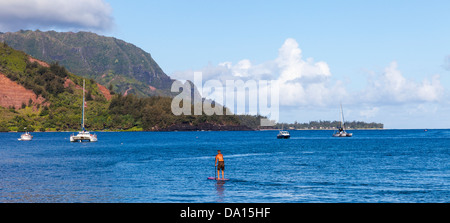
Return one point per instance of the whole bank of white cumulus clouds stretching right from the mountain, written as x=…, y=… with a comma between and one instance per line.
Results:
x=309, y=84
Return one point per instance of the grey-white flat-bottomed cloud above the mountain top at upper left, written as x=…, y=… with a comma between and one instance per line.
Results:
x=43, y=14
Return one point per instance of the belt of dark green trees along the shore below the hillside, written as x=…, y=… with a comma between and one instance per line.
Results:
x=122, y=113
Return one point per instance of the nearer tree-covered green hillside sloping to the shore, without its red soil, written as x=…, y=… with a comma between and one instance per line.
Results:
x=61, y=110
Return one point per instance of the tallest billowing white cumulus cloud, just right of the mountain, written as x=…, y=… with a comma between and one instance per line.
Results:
x=301, y=81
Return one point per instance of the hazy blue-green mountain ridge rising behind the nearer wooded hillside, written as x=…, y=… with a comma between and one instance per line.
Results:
x=107, y=60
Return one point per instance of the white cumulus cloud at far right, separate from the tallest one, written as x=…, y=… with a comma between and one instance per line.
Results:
x=392, y=87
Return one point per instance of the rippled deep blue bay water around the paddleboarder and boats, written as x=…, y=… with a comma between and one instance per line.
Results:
x=163, y=167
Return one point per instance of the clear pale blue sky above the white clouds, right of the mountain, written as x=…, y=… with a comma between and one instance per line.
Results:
x=189, y=34
